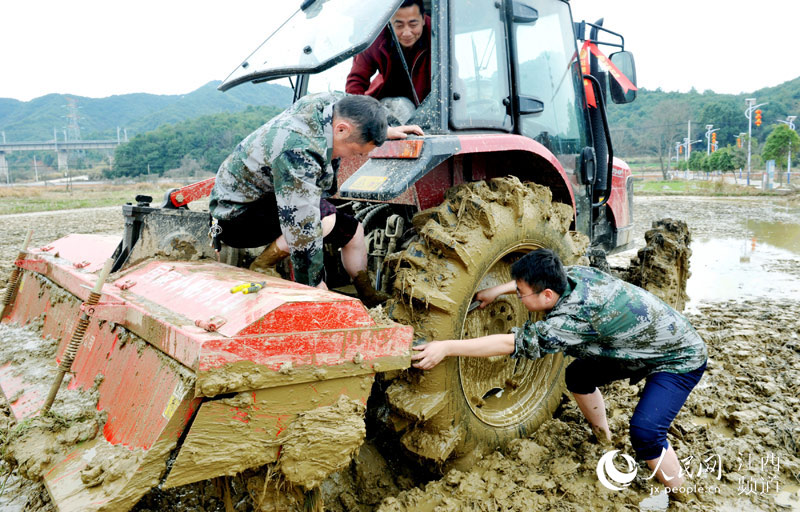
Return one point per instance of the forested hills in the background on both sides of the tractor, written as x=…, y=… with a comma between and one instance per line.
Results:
x=166, y=133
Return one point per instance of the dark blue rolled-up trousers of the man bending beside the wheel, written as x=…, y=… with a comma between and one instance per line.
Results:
x=663, y=396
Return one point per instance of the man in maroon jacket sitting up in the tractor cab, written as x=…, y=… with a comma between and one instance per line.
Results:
x=413, y=30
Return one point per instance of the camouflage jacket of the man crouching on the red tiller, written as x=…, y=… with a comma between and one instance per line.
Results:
x=289, y=156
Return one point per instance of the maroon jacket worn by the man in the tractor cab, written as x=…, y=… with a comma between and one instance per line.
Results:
x=381, y=56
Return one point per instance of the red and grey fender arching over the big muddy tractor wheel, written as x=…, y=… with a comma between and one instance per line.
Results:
x=398, y=165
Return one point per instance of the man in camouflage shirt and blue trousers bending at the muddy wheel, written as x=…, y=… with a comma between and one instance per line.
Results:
x=616, y=331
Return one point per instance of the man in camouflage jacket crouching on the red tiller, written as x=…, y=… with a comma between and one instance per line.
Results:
x=272, y=188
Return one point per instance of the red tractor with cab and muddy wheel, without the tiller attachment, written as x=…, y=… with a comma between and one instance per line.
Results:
x=517, y=155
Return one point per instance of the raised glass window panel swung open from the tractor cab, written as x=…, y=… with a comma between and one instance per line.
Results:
x=320, y=34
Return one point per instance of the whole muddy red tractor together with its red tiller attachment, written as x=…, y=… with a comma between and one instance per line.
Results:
x=196, y=382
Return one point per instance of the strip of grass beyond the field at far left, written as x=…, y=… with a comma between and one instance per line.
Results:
x=39, y=199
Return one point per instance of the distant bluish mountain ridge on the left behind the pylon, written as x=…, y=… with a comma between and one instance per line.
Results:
x=98, y=118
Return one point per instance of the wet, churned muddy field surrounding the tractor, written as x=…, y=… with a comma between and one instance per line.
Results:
x=737, y=436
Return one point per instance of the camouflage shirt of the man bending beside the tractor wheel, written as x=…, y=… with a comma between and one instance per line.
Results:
x=604, y=318
